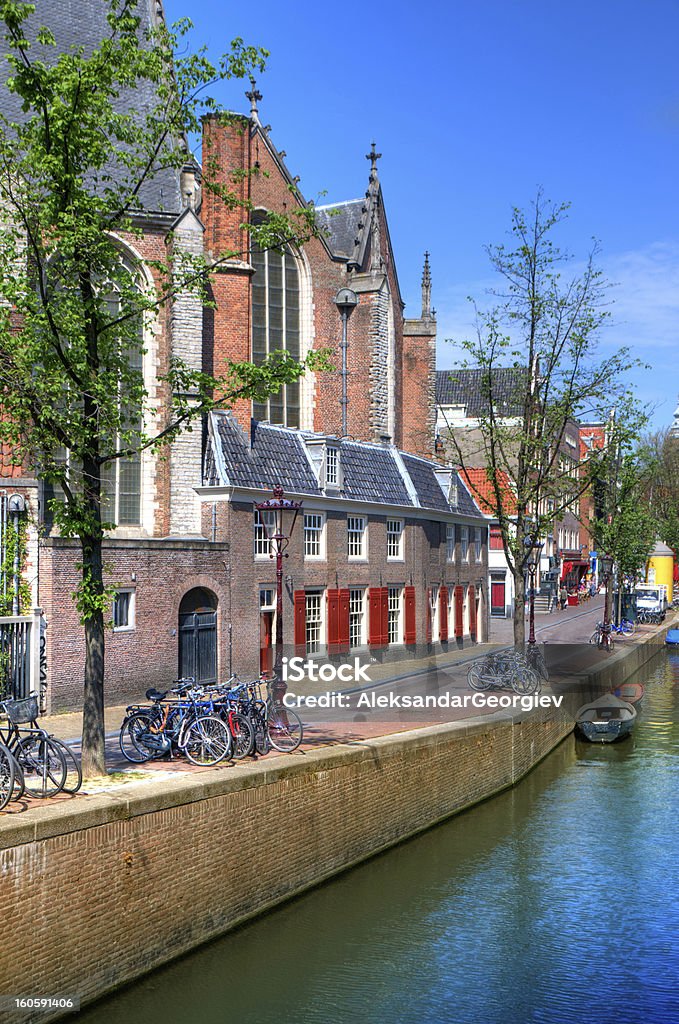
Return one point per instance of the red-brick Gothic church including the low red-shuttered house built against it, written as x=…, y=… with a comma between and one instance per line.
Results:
x=391, y=553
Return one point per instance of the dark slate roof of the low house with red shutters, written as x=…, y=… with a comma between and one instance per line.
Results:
x=278, y=455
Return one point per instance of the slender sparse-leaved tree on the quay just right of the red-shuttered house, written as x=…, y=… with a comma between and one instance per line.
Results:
x=536, y=353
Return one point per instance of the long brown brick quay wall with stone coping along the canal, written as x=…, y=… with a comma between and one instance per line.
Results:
x=118, y=884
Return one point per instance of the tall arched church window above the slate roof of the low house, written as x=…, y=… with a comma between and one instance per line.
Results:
x=276, y=324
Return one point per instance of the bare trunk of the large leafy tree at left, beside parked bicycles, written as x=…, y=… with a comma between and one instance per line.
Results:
x=94, y=756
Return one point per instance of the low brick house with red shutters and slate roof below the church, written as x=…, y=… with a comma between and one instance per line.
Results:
x=390, y=556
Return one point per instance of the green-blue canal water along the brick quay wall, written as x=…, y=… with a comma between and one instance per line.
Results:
x=556, y=903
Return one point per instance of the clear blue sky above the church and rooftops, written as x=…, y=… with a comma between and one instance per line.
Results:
x=475, y=104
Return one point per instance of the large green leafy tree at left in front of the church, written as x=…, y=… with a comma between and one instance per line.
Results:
x=73, y=173
